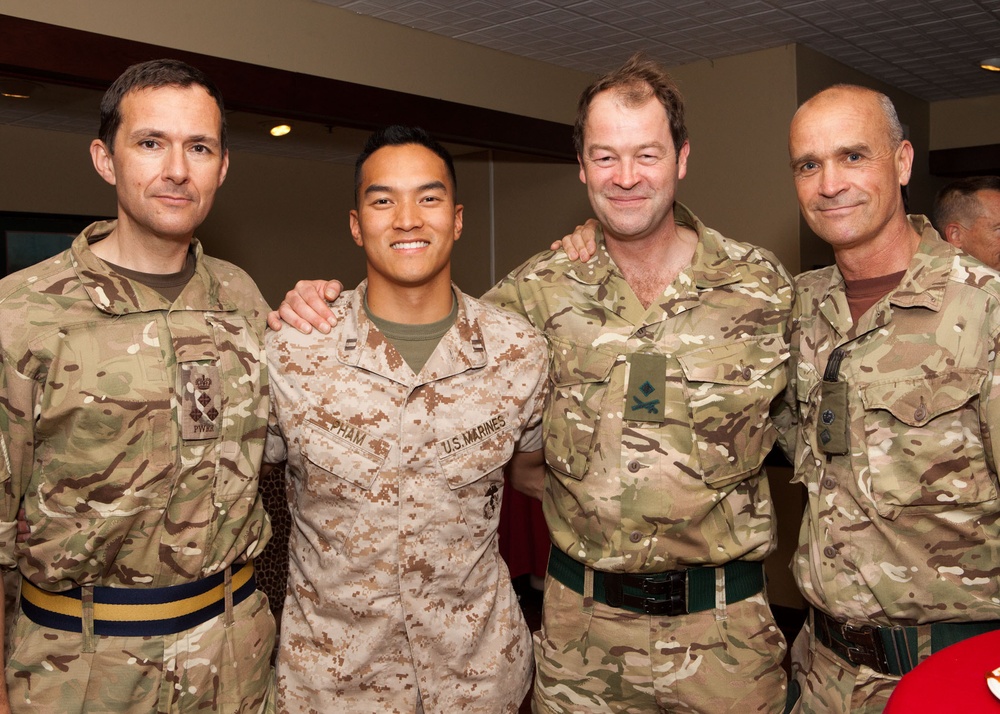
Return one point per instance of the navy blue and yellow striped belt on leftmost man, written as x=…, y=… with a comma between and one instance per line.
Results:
x=139, y=612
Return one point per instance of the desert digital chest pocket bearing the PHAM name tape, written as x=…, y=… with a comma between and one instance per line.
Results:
x=335, y=484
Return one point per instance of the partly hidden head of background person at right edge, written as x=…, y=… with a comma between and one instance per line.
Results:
x=967, y=215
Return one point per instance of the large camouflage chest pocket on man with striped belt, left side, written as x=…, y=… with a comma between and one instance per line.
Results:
x=106, y=437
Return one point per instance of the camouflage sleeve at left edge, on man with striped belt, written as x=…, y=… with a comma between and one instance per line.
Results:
x=17, y=396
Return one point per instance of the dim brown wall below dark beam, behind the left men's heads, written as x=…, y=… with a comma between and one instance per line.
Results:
x=284, y=219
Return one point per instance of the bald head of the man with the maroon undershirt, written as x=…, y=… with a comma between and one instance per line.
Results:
x=849, y=159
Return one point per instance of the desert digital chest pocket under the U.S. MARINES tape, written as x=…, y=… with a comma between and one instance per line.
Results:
x=475, y=477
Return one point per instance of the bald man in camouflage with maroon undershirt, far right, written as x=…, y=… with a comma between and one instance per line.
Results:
x=889, y=414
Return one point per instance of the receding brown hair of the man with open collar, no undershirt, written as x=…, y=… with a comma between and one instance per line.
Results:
x=635, y=83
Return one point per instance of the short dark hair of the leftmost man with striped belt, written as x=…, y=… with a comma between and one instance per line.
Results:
x=148, y=75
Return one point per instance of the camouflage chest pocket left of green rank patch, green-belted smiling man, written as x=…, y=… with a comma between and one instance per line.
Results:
x=580, y=377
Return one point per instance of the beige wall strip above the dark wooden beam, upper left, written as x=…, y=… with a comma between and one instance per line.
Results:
x=327, y=42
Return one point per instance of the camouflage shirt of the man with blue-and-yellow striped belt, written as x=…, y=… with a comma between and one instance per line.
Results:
x=132, y=428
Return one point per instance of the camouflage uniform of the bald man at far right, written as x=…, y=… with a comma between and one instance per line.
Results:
x=903, y=529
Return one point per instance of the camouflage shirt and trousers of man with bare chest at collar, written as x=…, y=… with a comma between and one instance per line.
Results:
x=646, y=497
